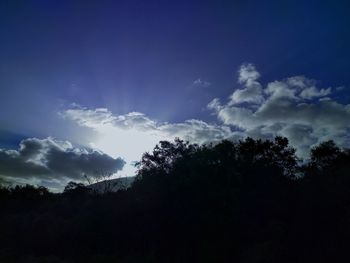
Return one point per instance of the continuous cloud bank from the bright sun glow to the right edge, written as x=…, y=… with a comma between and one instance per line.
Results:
x=293, y=107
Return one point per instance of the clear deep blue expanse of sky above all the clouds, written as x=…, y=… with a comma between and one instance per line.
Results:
x=146, y=56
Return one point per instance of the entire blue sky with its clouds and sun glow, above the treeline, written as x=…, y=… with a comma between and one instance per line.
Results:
x=87, y=86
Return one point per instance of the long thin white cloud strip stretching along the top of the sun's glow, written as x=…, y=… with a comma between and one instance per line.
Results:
x=196, y=131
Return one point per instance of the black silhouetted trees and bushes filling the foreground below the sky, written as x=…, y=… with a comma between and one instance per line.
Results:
x=250, y=201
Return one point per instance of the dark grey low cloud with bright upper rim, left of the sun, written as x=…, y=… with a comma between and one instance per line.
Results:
x=42, y=160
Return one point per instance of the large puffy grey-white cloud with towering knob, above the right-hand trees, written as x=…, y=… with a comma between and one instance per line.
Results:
x=293, y=107
